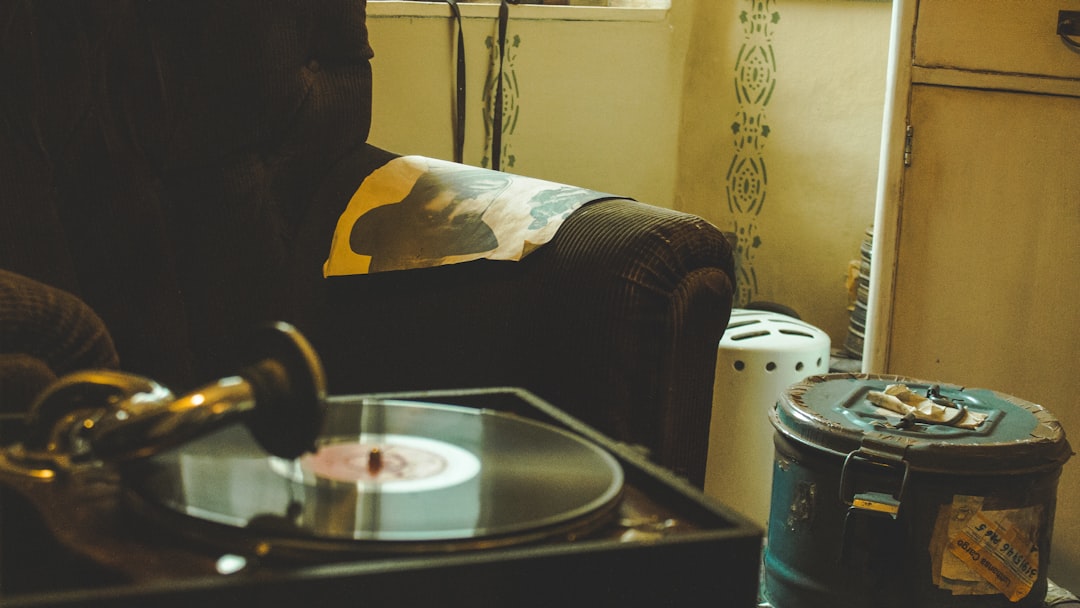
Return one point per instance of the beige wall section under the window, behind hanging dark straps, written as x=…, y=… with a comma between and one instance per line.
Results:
x=597, y=102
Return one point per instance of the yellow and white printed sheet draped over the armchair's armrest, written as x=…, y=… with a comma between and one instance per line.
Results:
x=417, y=212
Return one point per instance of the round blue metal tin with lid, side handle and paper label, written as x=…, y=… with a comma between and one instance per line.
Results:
x=871, y=509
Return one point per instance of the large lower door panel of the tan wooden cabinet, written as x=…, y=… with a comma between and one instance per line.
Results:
x=988, y=280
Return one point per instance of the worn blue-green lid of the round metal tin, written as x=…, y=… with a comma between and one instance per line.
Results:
x=832, y=413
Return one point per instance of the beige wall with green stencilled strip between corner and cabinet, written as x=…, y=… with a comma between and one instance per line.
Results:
x=820, y=153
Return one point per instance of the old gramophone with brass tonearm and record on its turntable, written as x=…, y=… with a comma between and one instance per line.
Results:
x=261, y=490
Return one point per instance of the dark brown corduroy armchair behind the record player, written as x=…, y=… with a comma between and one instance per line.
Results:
x=179, y=167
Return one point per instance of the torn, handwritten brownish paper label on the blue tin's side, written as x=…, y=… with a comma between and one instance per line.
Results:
x=985, y=551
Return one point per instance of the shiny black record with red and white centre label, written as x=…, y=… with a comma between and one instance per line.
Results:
x=393, y=477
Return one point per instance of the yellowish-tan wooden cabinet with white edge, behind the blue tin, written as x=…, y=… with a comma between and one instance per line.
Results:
x=977, y=258
